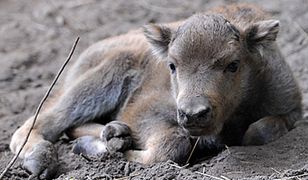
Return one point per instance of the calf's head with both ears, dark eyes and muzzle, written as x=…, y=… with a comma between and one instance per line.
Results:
x=210, y=63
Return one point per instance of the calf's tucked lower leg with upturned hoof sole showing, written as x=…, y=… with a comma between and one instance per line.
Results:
x=96, y=139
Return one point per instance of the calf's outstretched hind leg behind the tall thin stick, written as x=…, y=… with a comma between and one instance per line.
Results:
x=98, y=92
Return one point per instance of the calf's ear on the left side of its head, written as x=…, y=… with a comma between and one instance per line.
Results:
x=159, y=36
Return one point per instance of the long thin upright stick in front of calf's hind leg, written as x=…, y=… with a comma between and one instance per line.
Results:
x=39, y=108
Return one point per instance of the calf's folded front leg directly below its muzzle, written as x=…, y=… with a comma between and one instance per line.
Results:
x=162, y=142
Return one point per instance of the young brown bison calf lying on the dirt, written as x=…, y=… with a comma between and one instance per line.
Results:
x=218, y=75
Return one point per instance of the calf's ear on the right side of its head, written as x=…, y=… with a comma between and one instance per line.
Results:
x=261, y=33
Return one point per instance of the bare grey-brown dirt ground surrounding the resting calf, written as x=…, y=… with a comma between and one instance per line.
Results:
x=36, y=36
